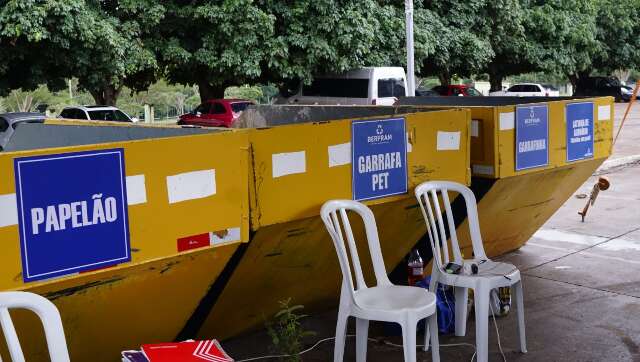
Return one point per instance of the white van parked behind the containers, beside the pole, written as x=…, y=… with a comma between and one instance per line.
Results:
x=371, y=85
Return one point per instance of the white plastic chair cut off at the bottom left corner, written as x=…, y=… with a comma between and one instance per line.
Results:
x=49, y=316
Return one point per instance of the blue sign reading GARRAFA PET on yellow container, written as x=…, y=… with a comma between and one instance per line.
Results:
x=378, y=158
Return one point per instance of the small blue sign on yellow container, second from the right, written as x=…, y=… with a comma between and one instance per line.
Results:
x=532, y=137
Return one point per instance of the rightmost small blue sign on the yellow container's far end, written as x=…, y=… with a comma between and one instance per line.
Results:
x=579, y=131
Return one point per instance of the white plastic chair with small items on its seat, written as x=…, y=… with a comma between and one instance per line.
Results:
x=490, y=274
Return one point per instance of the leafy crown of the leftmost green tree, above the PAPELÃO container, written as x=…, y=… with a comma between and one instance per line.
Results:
x=98, y=42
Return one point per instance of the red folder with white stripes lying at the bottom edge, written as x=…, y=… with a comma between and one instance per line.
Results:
x=191, y=351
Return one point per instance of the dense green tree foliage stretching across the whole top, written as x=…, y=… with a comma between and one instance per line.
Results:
x=111, y=45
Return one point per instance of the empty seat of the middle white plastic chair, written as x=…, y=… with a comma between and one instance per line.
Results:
x=394, y=298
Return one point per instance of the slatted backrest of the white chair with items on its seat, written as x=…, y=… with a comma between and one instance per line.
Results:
x=429, y=195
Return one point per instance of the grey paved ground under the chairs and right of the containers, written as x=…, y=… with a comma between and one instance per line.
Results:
x=581, y=283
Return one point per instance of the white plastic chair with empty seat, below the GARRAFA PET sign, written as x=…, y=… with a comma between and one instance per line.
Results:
x=383, y=302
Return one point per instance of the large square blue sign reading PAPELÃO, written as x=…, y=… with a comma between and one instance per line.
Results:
x=72, y=212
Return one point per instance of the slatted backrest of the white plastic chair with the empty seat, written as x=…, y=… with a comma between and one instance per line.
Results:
x=334, y=215
